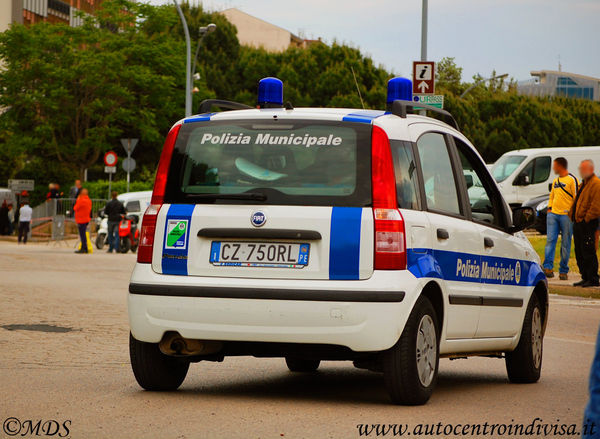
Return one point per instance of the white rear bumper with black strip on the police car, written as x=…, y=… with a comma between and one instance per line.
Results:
x=365, y=315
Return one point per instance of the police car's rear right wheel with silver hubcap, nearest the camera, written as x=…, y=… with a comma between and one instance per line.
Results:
x=410, y=367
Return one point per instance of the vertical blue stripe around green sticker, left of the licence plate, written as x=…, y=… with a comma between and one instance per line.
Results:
x=174, y=260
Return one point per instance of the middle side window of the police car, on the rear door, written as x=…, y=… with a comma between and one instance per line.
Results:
x=438, y=179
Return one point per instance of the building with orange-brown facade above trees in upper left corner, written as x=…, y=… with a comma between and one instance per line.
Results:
x=51, y=11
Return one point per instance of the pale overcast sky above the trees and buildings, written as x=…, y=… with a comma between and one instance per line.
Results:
x=510, y=36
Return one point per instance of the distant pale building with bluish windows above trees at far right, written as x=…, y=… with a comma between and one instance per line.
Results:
x=557, y=83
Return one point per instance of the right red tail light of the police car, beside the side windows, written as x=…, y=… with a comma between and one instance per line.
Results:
x=390, y=240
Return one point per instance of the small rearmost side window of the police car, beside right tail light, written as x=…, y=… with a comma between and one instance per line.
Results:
x=407, y=183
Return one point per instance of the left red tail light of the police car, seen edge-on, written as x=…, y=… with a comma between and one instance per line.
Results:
x=146, y=245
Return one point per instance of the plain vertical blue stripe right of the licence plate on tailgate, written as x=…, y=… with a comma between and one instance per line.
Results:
x=344, y=248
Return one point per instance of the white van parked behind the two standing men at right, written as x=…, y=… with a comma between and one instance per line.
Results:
x=527, y=173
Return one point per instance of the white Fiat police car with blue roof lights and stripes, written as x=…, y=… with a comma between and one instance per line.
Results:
x=331, y=234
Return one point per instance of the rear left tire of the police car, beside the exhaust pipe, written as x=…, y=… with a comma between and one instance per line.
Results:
x=154, y=370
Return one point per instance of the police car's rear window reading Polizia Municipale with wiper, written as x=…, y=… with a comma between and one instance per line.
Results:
x=272, y=162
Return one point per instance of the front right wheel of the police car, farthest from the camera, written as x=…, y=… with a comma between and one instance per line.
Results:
x=524, y=364
